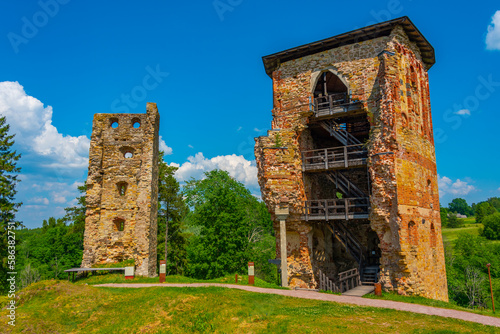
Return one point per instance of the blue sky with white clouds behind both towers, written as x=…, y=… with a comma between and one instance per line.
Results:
x=63, y=61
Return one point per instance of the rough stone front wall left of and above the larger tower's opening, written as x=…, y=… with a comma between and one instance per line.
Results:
x=280, y=171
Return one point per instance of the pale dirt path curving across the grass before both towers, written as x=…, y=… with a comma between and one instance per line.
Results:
x=467, y=316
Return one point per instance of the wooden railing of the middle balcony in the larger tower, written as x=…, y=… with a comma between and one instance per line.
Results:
x=334, y=157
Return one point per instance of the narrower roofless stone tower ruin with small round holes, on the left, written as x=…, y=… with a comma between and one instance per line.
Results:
x=122, y=190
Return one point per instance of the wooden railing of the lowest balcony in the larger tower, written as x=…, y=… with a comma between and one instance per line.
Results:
x=340, y=209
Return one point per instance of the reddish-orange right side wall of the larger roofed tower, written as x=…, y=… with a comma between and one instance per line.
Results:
x=422, y=255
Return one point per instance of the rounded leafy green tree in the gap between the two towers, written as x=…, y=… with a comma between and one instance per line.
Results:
x=231, y=220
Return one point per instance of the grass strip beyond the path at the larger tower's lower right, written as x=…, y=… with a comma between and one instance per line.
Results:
x=430, y=302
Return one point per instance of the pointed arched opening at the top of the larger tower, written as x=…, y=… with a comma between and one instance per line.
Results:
x=329, y=91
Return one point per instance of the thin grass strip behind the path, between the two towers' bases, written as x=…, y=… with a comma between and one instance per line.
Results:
x=120, y=278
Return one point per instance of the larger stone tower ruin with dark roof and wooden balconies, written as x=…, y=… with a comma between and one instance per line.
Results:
x=352, y=152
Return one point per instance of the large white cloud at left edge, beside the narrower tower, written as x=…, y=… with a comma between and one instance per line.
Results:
x=32, y=124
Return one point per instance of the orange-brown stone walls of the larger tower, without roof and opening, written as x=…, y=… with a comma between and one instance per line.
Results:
x=387, y=76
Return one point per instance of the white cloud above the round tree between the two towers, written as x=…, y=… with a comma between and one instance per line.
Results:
x=237, y=166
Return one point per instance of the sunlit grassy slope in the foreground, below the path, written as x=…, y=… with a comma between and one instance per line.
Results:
x=63, y=307
